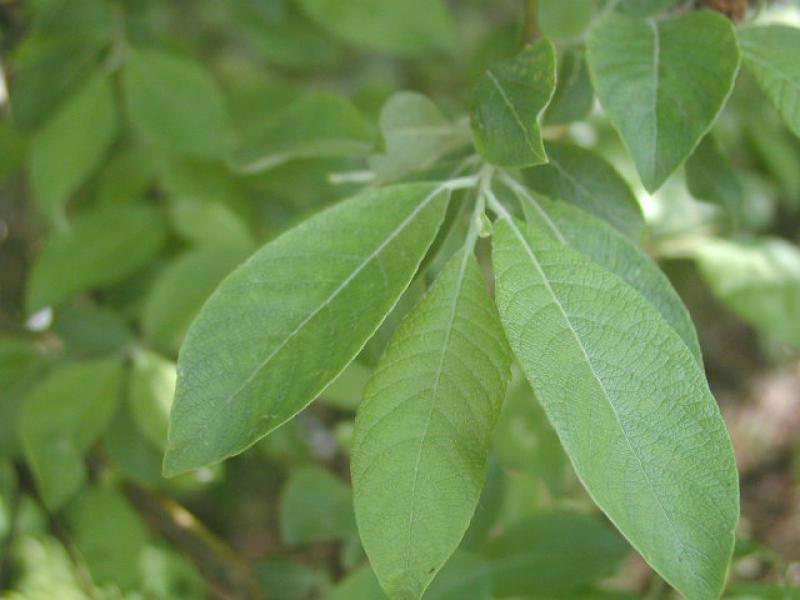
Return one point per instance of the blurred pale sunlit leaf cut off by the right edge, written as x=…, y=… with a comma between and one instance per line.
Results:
x=759, y=281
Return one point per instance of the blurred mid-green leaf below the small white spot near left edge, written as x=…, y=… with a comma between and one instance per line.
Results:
x=60, y=420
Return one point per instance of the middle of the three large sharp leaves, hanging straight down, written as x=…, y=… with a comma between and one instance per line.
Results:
x=423, y=430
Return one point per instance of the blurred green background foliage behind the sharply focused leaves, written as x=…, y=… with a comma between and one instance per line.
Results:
x=147, y=147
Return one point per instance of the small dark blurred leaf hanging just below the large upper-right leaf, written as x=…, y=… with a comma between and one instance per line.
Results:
x=710, y=176
